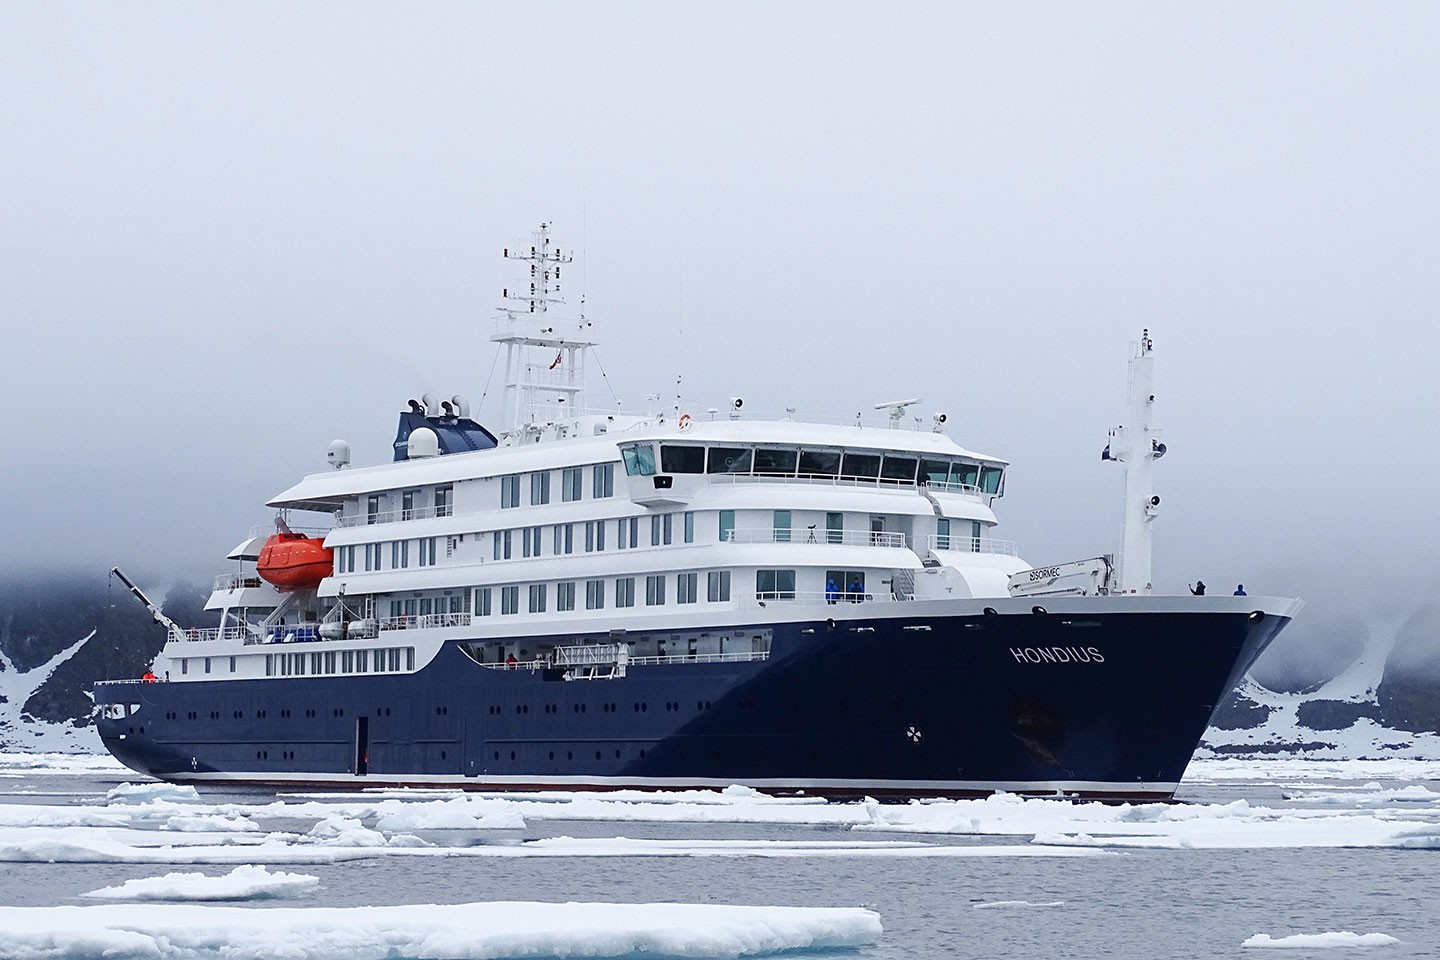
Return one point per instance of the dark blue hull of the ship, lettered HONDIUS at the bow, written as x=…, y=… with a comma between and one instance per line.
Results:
x=1084, y=702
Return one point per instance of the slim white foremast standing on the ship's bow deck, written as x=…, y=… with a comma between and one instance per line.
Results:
x=1137, y=445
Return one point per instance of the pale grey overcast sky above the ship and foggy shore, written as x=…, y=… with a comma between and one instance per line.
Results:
x=233, y=234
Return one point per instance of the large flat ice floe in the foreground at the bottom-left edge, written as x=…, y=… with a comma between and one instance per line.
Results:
x=459, y=932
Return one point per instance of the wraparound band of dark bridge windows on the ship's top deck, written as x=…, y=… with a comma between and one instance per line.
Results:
x=775, y=461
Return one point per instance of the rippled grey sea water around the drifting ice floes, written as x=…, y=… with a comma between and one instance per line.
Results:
x=1176, y=900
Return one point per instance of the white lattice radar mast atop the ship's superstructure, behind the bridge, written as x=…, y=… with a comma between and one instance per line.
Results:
x=545, y=358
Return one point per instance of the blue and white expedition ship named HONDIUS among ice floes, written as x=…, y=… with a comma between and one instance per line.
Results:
x=682, y=599
